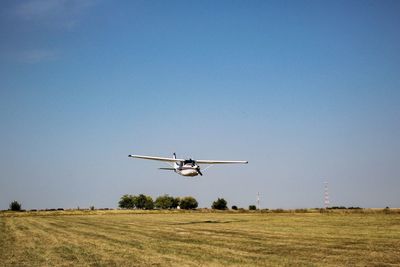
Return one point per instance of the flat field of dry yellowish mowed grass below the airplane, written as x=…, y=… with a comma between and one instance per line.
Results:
x=199, y=239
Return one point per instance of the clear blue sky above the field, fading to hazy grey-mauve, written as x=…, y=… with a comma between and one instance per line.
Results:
x=306, y=91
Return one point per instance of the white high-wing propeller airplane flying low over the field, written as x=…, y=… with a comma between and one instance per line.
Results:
x=187, y=167
